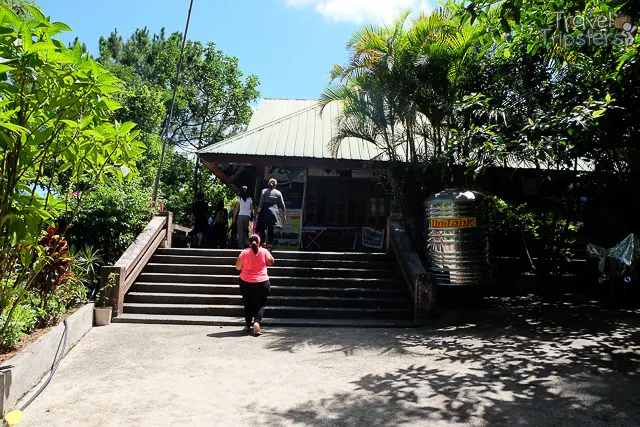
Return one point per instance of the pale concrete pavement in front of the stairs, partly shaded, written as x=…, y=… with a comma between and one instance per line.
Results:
x=535, y=365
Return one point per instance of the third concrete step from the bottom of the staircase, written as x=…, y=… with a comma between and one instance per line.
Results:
x=275, y=300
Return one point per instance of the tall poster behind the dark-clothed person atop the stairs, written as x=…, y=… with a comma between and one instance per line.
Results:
x=291, y=183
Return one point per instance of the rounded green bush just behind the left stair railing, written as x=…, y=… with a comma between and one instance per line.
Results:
x=111, y=218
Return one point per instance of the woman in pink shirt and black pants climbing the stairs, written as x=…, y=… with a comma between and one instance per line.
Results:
x=254, y=282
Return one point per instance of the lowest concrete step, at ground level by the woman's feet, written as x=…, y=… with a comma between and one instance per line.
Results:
x=171, y=319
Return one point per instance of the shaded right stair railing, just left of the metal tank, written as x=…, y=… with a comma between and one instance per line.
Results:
x=420, y=282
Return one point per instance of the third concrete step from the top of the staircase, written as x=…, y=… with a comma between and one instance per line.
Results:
x=274, y=271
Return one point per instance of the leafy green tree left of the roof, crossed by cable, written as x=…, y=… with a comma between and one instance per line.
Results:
x=212, y=103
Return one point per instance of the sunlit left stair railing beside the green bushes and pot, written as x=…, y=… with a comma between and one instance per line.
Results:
x=156, y=234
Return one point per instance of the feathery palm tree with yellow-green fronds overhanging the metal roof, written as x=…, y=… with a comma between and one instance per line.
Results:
x=400, y=85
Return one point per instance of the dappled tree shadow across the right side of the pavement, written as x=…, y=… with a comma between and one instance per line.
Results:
x=524, y=362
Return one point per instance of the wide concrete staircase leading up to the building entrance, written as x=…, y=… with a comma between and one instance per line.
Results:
x=200, y=286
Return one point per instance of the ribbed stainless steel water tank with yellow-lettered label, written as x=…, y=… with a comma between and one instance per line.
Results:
x=457, y=228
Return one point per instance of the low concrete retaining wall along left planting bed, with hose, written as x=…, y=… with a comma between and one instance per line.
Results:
x=21, y=373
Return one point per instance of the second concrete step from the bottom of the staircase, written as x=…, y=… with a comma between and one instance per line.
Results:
x=270, y=311
